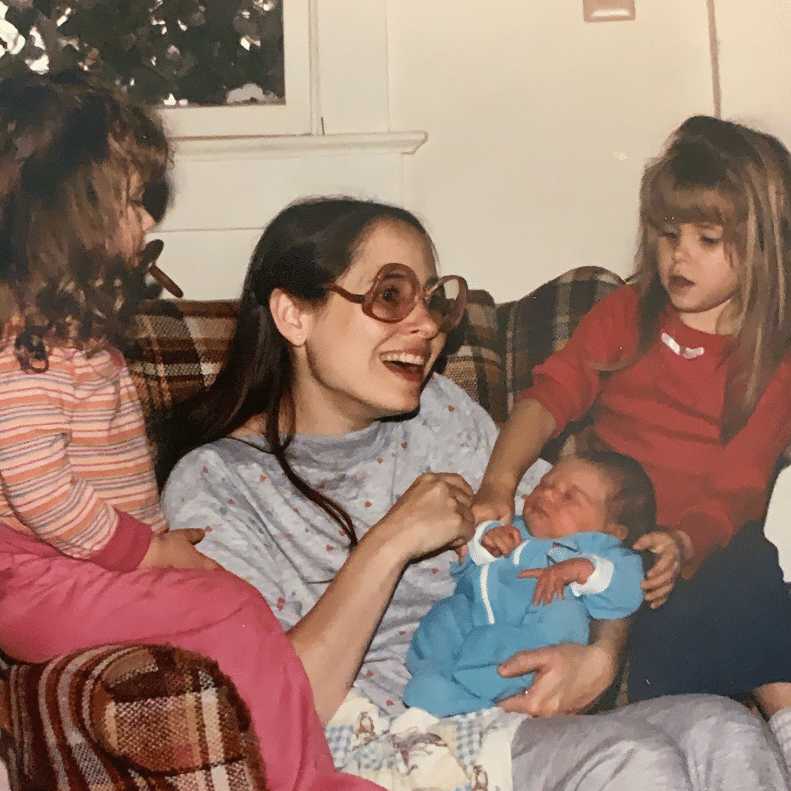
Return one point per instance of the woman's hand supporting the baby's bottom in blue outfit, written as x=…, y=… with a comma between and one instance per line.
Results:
x=569, y=678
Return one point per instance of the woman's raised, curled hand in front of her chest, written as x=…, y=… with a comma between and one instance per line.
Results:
x=431, y=515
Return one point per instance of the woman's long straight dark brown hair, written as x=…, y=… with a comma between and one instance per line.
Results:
x=304, y=249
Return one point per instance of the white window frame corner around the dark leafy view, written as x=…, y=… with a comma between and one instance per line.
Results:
x=258, y=120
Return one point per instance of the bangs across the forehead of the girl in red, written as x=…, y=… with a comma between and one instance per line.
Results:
x=668, y=200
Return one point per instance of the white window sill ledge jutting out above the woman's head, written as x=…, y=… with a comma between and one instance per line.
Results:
x=281, y=146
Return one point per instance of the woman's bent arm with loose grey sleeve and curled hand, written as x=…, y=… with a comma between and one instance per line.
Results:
x=331, y=637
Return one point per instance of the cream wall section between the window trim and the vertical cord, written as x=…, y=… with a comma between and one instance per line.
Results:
x=539, y=125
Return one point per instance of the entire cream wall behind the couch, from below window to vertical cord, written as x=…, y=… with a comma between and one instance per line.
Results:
x=538, y=127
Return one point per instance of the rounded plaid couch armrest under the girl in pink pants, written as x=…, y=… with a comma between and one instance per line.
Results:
x=128, y=717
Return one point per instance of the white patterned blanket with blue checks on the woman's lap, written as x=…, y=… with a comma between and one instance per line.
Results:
x=416, y=751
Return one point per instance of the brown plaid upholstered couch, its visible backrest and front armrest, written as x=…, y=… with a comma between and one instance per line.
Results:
x=133, y=717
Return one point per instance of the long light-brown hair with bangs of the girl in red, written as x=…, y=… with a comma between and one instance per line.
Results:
x=718, y=172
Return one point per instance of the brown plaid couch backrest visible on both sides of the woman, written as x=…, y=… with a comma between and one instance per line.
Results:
x=177, y=348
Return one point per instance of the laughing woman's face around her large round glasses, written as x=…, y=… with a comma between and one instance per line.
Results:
x=354, y=369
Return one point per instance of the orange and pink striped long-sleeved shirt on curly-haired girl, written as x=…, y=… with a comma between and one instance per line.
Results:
x=75, y=465
